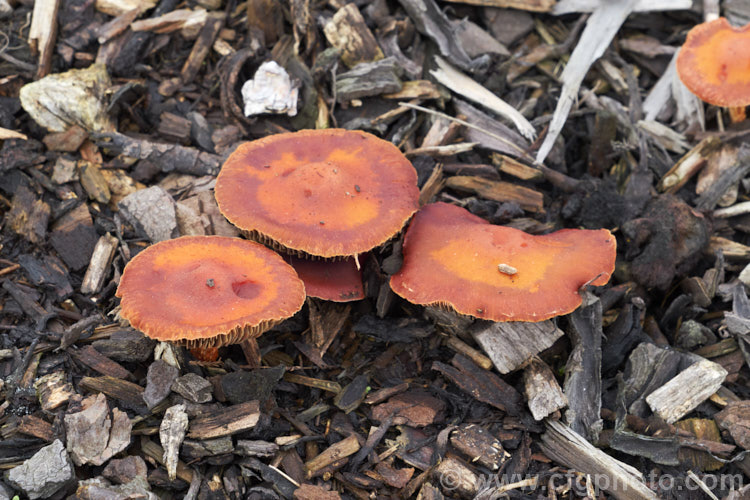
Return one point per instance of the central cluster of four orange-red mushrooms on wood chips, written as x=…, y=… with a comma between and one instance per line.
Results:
x=321, y=199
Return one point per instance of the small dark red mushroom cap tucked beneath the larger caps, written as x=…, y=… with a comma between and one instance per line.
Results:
x=334, y=280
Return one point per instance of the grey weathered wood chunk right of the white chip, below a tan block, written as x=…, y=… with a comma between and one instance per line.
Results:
x=369, y=79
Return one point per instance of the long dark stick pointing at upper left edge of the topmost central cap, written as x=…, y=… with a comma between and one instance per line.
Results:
x=169, y=157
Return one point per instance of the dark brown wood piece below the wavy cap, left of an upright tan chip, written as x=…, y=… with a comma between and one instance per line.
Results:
x=483, y=385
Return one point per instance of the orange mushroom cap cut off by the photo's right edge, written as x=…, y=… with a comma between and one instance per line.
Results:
x=714, y=63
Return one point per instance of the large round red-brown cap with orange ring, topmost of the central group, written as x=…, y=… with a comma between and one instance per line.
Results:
x=326, y=193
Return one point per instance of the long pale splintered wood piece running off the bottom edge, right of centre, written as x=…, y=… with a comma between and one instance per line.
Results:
x=565, y=446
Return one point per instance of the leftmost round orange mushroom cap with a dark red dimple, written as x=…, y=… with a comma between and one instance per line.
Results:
x=208, y=291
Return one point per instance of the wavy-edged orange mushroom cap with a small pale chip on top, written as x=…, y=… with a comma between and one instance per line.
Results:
x=457, y=260
